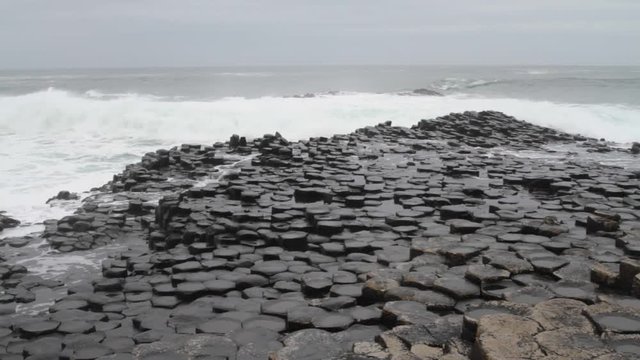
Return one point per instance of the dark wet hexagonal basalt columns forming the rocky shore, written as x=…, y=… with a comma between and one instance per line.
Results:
x=386, y=243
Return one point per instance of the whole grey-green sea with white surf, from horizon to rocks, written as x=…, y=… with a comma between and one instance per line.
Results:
x=73, y=129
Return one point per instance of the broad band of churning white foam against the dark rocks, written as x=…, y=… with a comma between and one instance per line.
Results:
x=53, y=140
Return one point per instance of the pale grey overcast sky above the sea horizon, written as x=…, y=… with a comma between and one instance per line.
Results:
x=133, y=33
